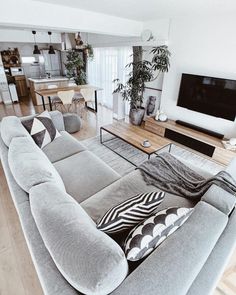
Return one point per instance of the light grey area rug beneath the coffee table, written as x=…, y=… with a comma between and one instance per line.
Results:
x=123, y=167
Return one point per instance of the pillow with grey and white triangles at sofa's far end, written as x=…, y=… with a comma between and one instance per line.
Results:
x=42, y=129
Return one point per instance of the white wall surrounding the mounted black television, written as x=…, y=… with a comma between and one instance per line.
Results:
x=200, y=46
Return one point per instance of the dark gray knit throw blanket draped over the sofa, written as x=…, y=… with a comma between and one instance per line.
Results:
x=170, y=175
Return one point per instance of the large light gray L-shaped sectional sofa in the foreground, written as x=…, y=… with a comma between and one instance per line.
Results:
x=61, y=191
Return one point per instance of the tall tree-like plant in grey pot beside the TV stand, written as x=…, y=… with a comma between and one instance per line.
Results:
x=142, y=72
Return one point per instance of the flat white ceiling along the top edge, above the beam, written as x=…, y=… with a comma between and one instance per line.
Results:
x=141, y=10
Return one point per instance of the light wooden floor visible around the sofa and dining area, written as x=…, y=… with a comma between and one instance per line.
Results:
x=17, y=273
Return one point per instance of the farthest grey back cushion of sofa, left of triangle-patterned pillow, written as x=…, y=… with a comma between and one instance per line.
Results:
x=11, y=127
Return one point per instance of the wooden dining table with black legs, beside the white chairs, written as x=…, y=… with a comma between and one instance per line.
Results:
x=51, y=92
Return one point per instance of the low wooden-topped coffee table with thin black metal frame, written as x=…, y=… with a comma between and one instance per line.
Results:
x=134, y=136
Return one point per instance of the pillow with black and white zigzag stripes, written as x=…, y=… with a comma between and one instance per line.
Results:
x=130, y=212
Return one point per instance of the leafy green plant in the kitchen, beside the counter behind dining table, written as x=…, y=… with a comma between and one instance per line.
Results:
x=75, y=67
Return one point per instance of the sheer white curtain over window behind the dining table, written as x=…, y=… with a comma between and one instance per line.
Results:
x=108, y=64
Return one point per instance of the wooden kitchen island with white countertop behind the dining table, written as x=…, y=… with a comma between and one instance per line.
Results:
x=43, y=83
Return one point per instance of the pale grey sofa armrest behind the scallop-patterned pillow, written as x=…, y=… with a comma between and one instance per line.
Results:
x=173, y=266
